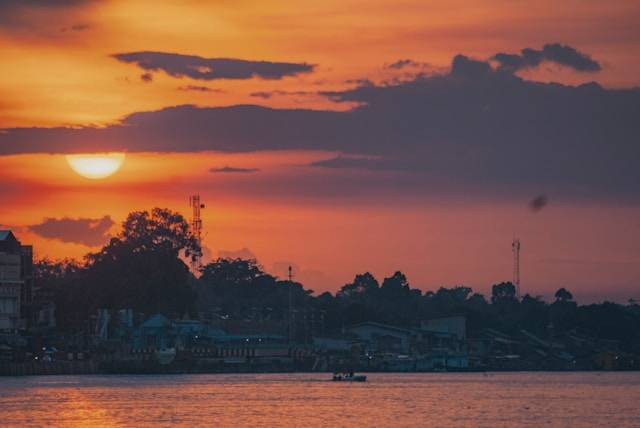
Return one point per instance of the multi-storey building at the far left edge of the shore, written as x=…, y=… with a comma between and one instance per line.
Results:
x=16, y=282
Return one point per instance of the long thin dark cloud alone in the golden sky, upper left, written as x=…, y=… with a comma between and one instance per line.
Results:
x=199, y=68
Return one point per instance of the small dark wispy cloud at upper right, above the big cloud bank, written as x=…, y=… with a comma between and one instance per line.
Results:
x=554, y=52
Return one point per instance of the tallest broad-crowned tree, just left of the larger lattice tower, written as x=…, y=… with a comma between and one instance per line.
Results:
x=141, y=268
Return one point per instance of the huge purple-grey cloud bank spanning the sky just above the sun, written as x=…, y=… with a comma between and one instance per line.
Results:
x=471, y=130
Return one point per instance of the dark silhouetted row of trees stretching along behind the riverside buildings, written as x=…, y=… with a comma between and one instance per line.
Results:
x=144, y=268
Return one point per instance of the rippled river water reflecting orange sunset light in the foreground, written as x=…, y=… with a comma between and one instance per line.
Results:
x=308, y=400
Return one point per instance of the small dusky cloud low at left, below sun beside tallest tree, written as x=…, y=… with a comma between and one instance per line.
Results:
x=86, y=231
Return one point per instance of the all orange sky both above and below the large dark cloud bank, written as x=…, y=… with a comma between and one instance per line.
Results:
x=57, y=70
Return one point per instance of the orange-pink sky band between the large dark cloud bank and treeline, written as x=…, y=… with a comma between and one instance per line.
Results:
x=435, y=242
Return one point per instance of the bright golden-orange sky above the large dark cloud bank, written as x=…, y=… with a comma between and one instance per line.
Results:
x=53, y=75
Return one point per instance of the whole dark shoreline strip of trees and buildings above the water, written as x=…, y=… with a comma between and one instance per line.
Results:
x=144, y=304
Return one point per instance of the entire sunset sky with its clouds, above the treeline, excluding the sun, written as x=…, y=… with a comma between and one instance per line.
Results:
x=337, y=136
